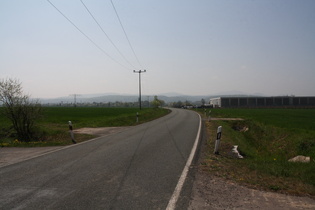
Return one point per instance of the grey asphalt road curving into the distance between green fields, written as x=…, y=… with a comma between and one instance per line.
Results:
x=135, y=169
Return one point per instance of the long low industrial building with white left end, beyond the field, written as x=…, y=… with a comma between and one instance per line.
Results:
x=276, y=101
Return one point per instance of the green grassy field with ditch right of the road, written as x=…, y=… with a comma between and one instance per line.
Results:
x=267, y=138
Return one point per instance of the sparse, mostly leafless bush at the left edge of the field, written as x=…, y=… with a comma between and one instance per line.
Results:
x=19, y=109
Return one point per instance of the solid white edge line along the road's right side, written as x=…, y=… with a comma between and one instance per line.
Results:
x=172, y=203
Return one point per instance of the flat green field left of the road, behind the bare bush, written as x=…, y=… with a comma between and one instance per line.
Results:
x=53, y=126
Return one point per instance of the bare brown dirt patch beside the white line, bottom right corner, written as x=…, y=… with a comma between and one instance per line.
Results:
x=211, y=192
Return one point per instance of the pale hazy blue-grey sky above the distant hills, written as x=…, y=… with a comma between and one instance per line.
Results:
x=191, y=47
